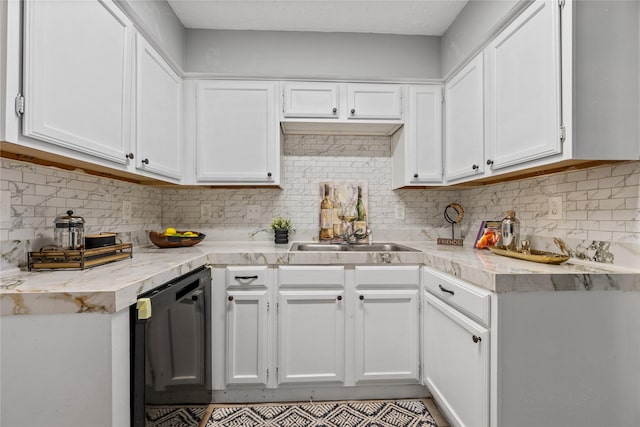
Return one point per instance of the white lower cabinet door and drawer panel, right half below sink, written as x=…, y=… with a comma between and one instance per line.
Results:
x=387, y=324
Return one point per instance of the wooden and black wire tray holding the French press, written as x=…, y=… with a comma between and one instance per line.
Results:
x=55, y=258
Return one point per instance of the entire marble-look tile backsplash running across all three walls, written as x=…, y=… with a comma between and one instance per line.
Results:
x=601, y=204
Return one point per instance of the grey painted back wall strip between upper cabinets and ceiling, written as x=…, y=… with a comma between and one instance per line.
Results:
x=281, y=54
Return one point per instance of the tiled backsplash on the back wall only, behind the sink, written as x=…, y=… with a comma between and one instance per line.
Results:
x=308, y=160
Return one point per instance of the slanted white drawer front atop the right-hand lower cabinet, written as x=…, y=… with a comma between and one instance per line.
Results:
x=469, y=299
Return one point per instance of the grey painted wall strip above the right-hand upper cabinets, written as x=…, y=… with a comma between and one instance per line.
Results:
x=473, y=25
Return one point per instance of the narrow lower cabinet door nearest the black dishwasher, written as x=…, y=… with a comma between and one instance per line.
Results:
x=247, y=328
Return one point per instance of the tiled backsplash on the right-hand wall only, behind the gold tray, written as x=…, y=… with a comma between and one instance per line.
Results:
x=601, y=211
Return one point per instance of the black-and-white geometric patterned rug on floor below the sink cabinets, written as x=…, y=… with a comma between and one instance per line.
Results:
x=388, y=413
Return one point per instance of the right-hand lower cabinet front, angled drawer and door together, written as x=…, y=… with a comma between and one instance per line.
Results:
x=456, y=348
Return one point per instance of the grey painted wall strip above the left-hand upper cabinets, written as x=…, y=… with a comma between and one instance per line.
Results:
x=162, y=24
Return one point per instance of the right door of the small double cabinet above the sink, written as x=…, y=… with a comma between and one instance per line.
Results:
x=365, y=101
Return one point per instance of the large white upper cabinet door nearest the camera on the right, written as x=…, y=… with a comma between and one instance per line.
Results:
x=524, y=88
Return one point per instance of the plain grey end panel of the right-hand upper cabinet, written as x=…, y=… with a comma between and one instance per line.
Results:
x=606, y=72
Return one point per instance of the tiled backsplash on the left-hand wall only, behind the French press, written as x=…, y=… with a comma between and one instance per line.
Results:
x=34, y=195
